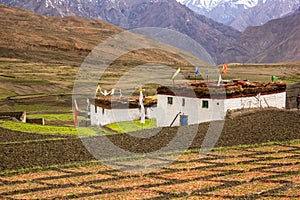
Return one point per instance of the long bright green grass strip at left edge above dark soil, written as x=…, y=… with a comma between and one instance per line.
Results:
x=34, y=128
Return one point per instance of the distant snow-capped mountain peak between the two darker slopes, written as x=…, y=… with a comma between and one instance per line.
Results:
x=242, y=13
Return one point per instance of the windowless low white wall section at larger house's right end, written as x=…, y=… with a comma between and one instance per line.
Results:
x=277, y=100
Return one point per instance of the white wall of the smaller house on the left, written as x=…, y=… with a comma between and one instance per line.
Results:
x=107, y=116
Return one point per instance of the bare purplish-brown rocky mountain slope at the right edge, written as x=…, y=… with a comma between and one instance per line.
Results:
x=275, y=41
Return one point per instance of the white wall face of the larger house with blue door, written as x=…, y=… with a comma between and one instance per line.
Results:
x=181, y=111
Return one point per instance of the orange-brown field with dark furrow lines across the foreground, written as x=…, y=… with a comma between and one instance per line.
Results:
x=263, y=172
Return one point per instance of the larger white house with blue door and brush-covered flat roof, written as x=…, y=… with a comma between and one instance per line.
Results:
x=181, y=109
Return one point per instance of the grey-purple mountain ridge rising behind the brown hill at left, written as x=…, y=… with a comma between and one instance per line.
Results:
x=213, y=36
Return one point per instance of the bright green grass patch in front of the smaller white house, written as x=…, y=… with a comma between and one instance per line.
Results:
x=125, y=127
